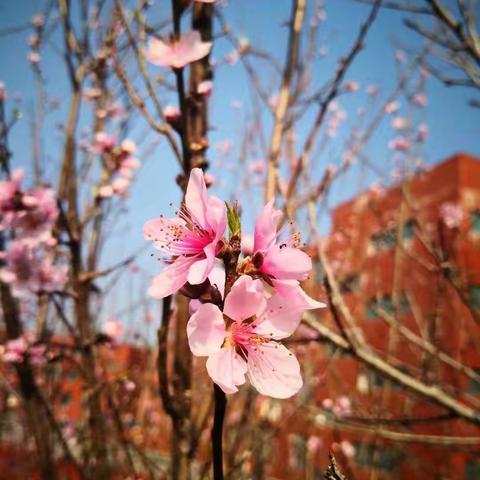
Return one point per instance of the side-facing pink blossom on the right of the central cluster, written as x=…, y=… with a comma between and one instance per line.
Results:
x=280, y=262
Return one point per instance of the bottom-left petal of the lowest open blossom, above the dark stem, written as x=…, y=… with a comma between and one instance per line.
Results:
x=227, y=369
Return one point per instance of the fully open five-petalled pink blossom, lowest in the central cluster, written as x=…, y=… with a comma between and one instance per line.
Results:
x=247, y=344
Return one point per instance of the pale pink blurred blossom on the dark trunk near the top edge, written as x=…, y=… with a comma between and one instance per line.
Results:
x=177, y=53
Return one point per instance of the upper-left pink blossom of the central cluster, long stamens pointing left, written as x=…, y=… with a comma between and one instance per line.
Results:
x=193, y=238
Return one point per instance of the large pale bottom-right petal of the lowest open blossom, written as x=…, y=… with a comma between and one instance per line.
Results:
x=273, y=370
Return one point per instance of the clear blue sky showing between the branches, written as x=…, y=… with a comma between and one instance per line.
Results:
x=454, y=126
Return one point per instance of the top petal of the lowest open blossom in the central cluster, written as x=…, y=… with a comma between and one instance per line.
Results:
x=246, y=298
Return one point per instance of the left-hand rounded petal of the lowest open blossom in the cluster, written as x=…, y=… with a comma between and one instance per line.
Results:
x=206, y=330
